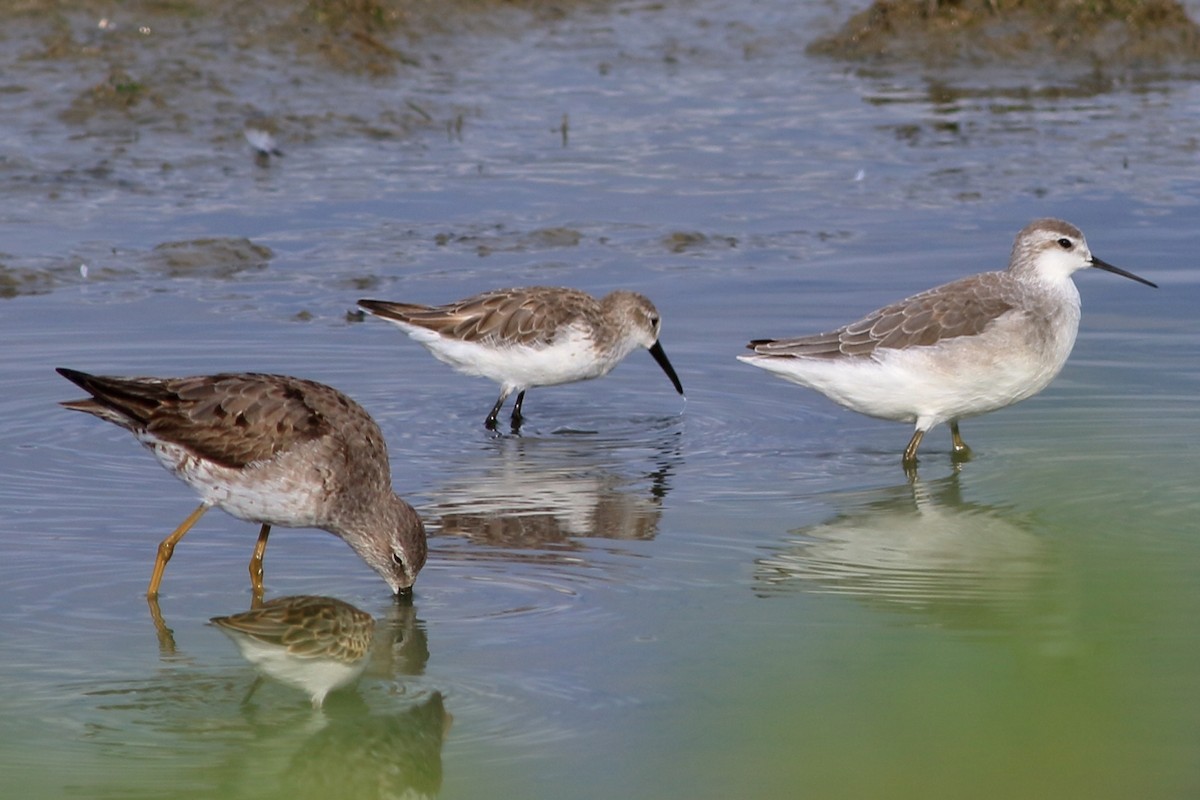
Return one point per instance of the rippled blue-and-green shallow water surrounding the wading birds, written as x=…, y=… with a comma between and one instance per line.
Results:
x=736, y=596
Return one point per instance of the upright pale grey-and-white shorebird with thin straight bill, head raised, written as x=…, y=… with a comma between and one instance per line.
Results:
x=958, y=351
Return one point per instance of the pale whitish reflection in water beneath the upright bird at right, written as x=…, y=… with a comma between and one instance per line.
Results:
x=921, y=548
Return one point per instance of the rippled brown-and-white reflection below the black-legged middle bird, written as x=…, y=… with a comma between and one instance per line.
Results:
x=547, y=495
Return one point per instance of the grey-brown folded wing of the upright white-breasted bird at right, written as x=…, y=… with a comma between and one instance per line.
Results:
x=961, y=309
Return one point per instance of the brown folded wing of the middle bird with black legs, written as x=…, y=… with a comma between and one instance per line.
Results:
x=530, y=316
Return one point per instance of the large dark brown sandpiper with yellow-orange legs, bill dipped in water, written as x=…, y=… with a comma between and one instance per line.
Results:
x=273, y=450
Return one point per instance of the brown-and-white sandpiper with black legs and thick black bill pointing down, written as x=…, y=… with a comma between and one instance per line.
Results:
x=533, y=336
